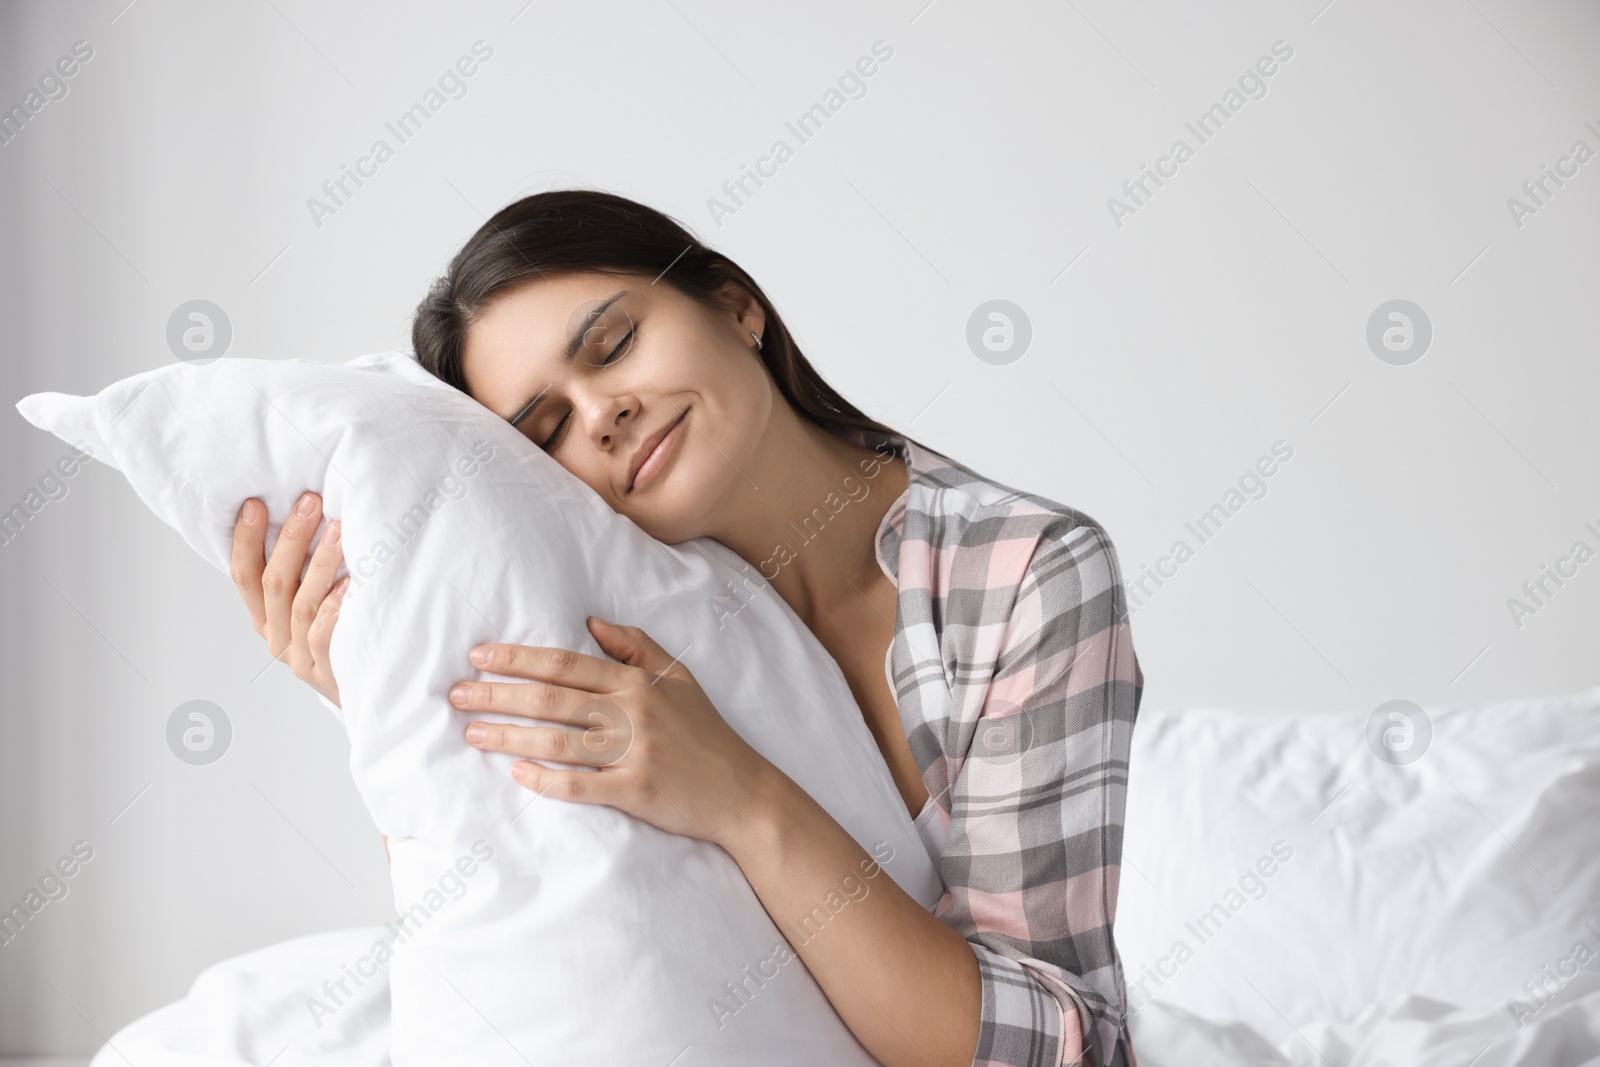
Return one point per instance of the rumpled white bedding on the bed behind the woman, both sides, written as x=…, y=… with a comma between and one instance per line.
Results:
x=1415, y=905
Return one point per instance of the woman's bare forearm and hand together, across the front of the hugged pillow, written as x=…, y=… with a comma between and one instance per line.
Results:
x=905, y=983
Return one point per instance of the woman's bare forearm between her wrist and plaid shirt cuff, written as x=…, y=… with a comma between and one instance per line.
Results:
x=905, y=983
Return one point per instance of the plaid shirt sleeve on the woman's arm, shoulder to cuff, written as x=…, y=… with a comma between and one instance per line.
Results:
x=1038, y=813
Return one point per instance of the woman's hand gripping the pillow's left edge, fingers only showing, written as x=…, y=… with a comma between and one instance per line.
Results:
x=295, y=617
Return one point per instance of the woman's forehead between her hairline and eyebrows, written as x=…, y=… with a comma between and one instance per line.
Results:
x=524, y=334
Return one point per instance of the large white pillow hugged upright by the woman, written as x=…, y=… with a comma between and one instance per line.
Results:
x=588, y=937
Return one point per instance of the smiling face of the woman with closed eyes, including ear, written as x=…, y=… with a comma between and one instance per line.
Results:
x=642, y=393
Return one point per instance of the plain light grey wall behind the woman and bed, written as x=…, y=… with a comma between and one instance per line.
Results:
x=1169, y=354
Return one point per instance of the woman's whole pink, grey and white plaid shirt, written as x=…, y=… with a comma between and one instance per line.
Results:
x=1018, y=689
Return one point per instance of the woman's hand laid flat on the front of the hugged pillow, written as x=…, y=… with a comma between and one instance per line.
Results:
x=663, y=751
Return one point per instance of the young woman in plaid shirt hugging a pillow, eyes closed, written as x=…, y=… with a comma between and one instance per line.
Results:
x=983, y=631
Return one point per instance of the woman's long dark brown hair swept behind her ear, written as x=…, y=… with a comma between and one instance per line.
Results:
x=577, y=230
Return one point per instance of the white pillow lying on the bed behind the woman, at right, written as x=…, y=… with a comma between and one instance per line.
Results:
x=1279, y=873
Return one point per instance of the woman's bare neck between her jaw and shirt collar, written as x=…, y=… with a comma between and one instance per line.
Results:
x=807, y=514
